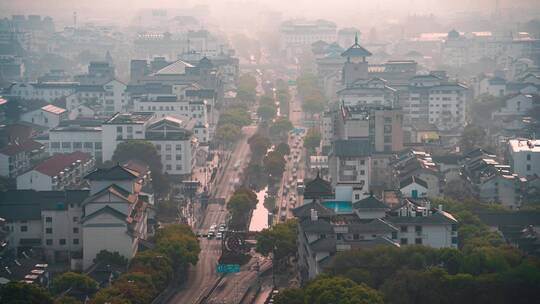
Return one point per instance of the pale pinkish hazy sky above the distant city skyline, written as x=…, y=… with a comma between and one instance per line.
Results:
x=120, y=10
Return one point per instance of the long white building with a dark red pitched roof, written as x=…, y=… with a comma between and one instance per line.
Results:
x=58, y=172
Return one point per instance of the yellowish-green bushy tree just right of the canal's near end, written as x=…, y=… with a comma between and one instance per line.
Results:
x=280, y=240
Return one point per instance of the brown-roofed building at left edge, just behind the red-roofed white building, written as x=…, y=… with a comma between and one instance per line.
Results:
x=16, y=158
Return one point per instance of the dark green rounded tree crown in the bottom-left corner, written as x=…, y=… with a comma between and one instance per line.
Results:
x=22, y=293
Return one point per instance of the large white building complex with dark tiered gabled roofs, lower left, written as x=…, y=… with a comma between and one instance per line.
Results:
x=75, y=225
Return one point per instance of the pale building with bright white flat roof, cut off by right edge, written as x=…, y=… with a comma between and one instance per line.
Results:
x=524, y=156
